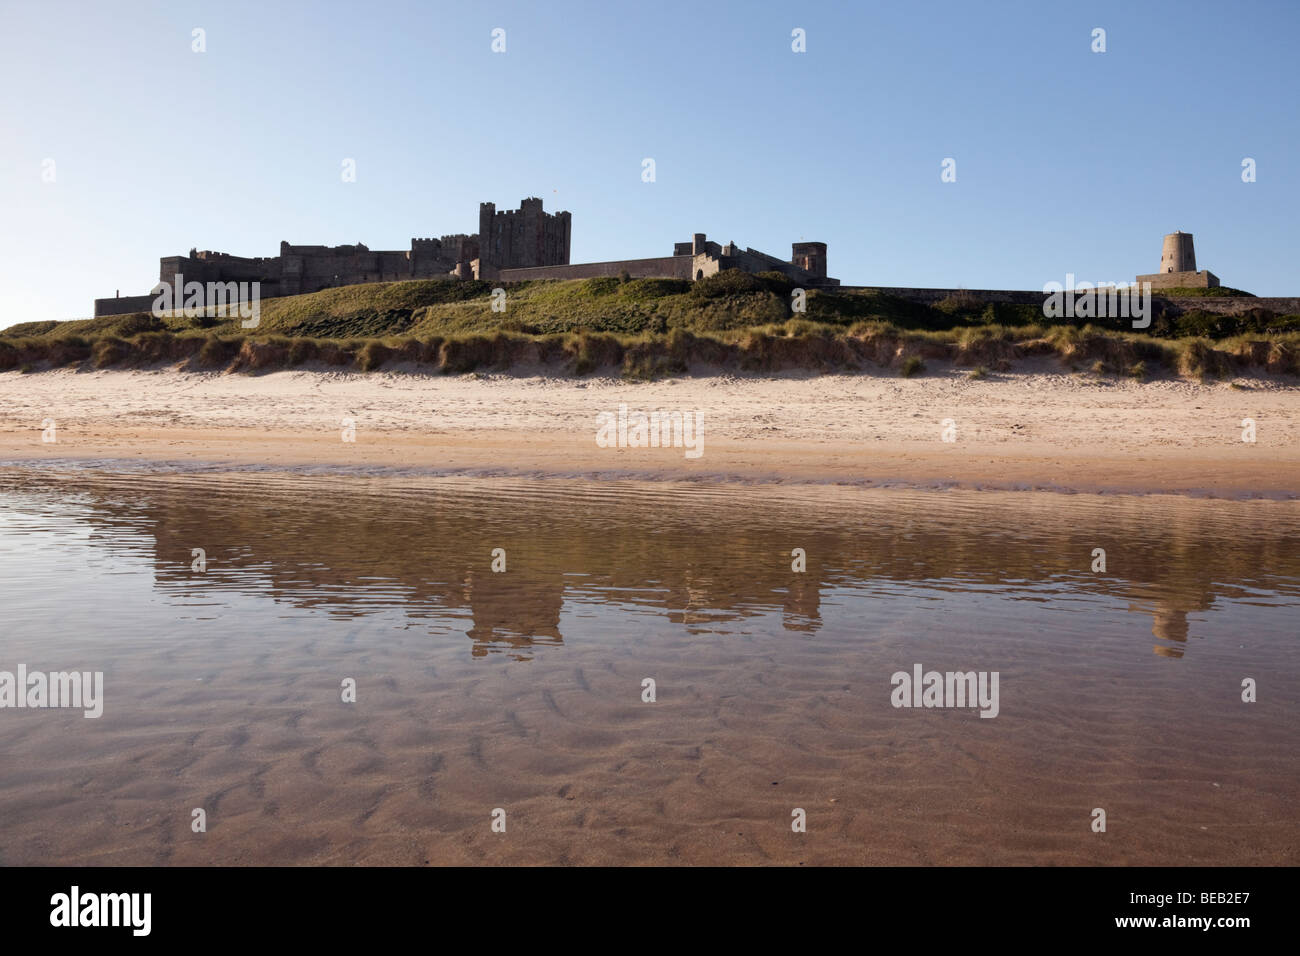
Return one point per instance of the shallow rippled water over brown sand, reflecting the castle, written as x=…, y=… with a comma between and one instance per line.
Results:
x=523, y=690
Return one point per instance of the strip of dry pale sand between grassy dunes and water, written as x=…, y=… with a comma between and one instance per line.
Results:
x=1034, y=430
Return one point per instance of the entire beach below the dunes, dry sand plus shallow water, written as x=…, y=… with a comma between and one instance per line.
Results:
x=349, y=526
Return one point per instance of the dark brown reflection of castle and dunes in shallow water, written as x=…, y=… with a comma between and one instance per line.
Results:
x=707, y=560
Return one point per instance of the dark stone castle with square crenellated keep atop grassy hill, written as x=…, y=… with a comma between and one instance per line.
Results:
x=510, y=246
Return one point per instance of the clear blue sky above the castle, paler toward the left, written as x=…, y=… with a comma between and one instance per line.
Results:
x=1067, y=161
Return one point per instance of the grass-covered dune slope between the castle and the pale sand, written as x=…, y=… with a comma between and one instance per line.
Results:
x=651, y=327
